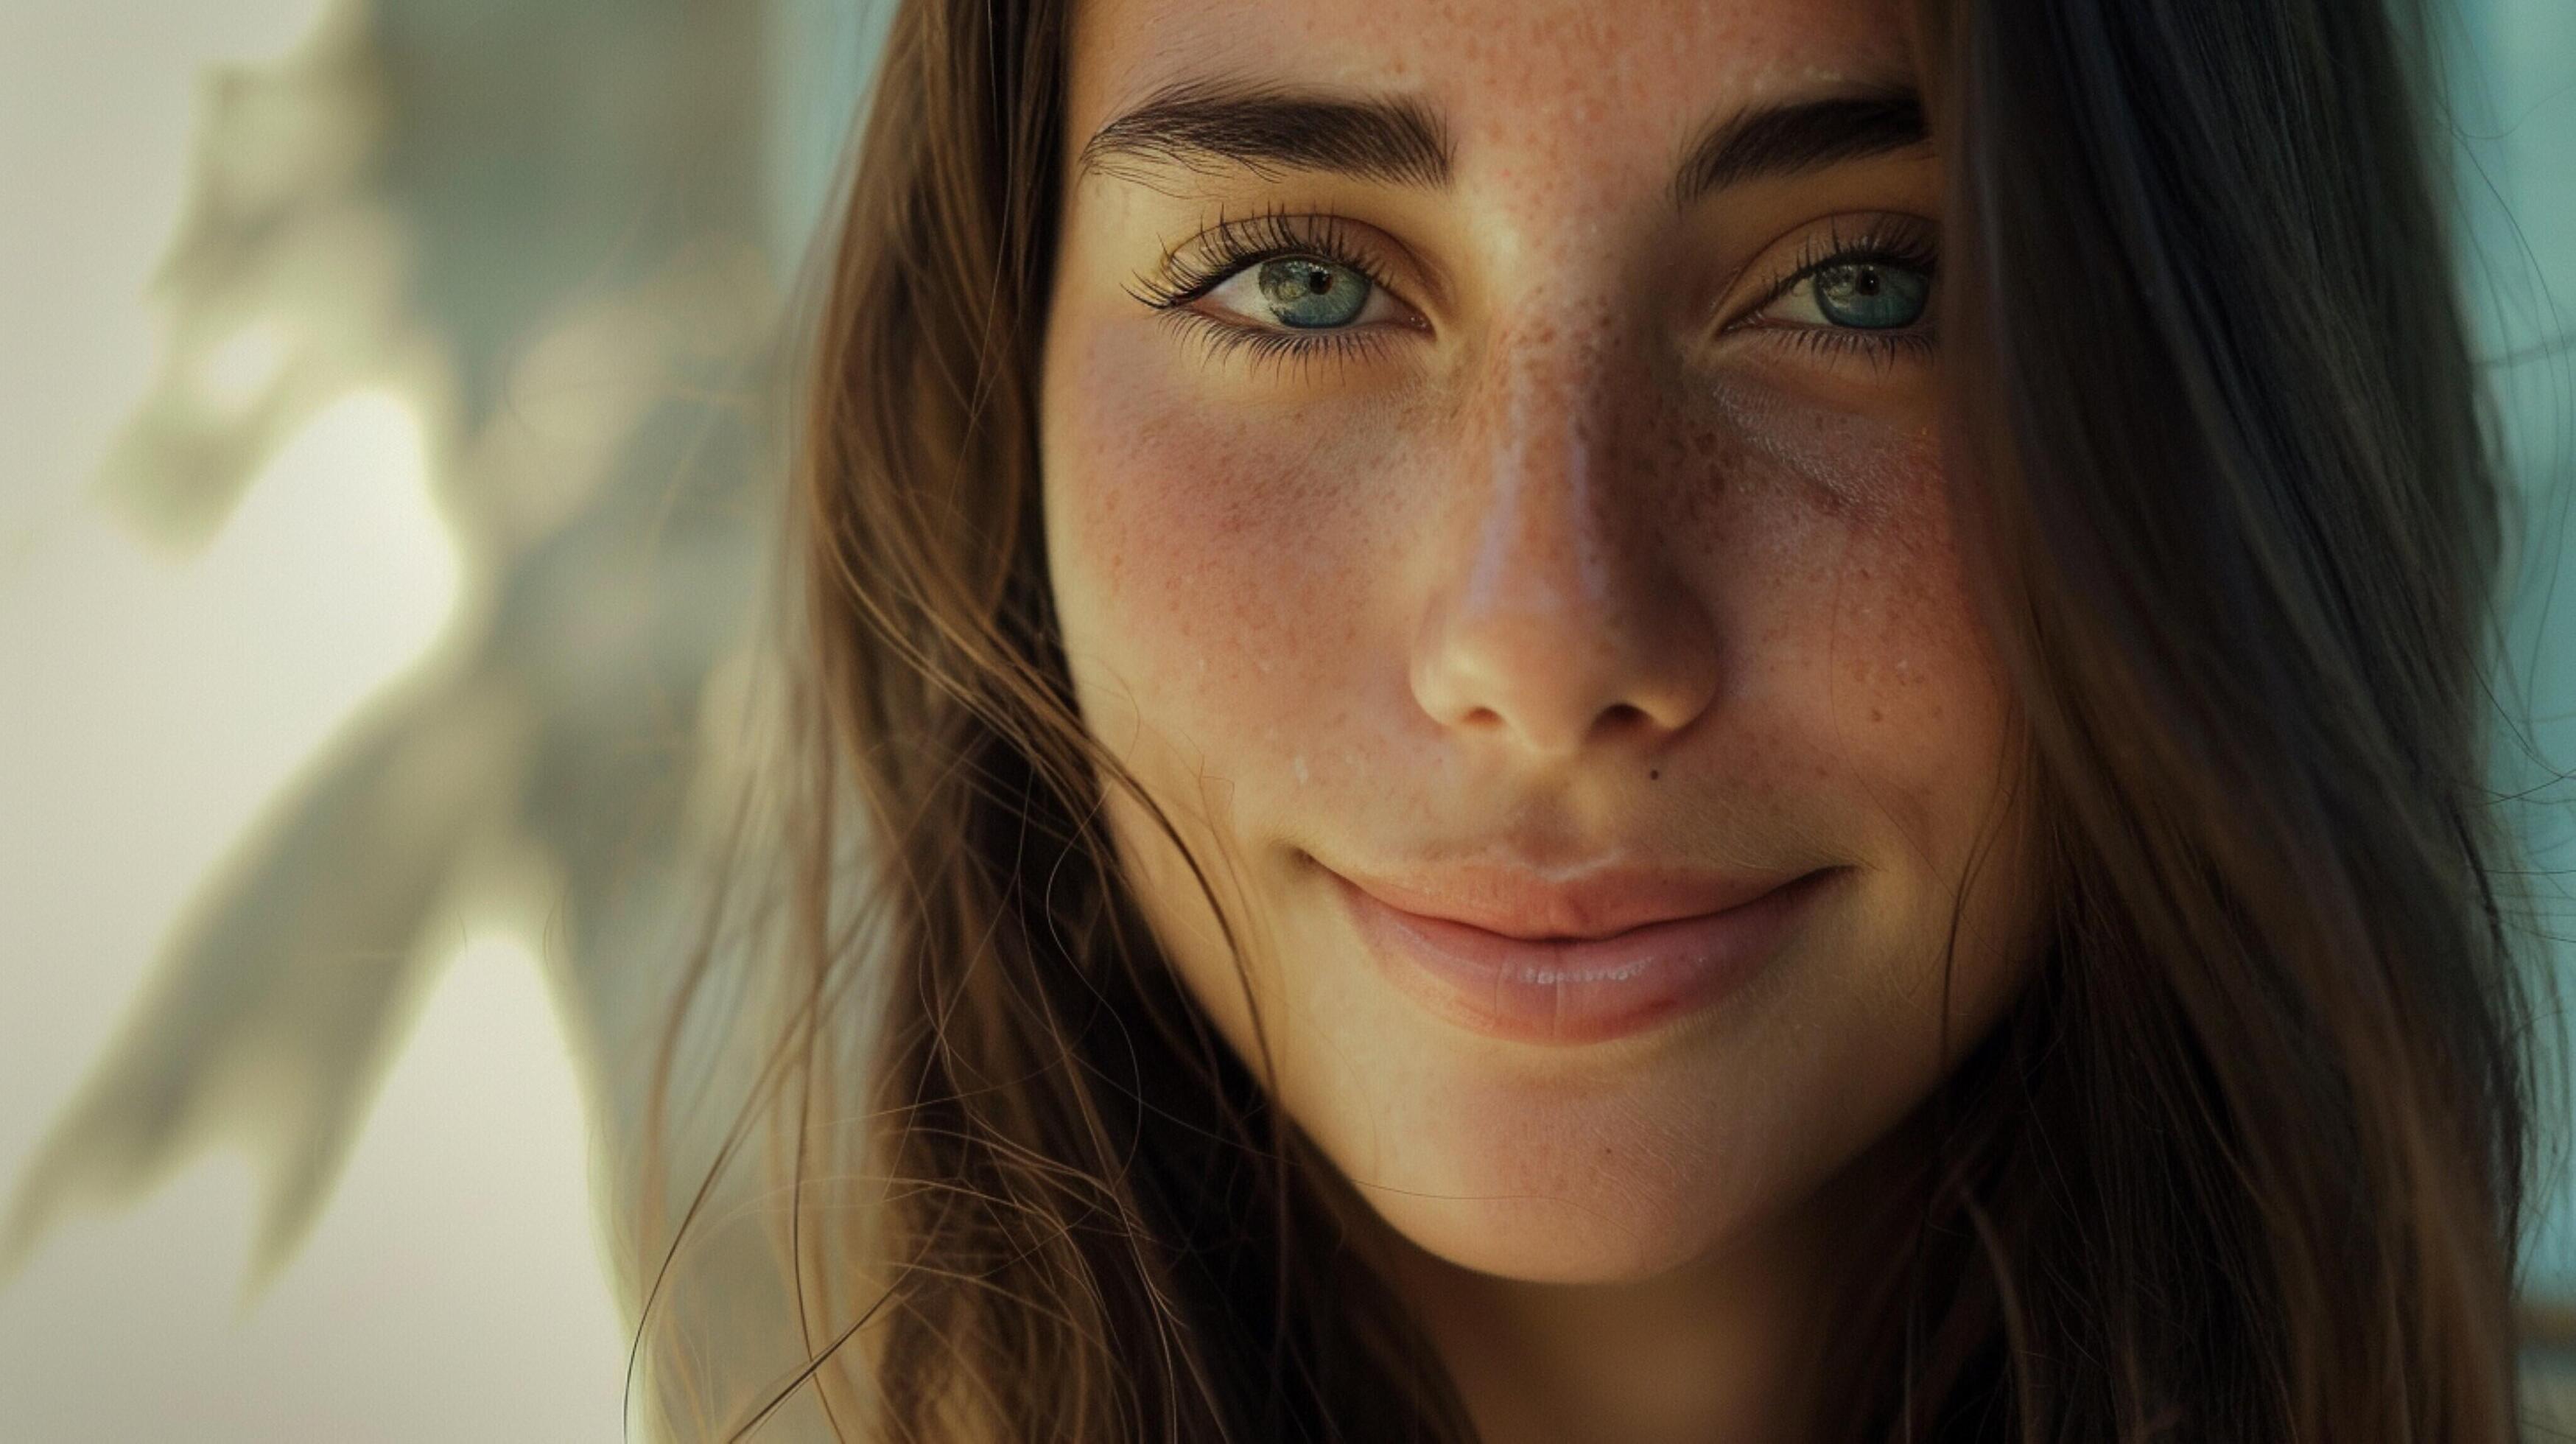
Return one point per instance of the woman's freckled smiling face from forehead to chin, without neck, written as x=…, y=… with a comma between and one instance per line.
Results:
x=1495, y=512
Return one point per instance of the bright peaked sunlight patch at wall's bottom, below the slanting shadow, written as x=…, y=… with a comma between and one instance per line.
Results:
x=450, y=1293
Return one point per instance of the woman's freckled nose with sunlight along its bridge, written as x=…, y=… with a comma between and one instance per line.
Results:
x=1560, y=618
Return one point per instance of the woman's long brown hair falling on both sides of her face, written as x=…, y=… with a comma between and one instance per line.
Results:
x=2245, y=1162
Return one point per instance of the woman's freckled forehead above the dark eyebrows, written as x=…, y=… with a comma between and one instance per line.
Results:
x=1506, y=76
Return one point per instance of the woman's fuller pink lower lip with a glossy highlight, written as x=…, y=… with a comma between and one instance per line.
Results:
x=1588, y=989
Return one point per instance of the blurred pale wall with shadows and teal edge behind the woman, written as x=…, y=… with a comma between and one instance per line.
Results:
x=390, y=447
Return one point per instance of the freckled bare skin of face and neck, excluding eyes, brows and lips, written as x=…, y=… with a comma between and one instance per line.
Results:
x=1586, y=556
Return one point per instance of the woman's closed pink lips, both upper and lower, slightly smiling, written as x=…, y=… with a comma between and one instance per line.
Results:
x=1609, y=955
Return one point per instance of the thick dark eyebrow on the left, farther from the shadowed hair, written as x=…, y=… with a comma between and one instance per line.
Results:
x=1207, y=125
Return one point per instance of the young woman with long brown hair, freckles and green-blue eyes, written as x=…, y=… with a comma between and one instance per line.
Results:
x=1689, y=721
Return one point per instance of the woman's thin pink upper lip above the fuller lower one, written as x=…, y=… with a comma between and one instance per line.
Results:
x=1557, y=906
